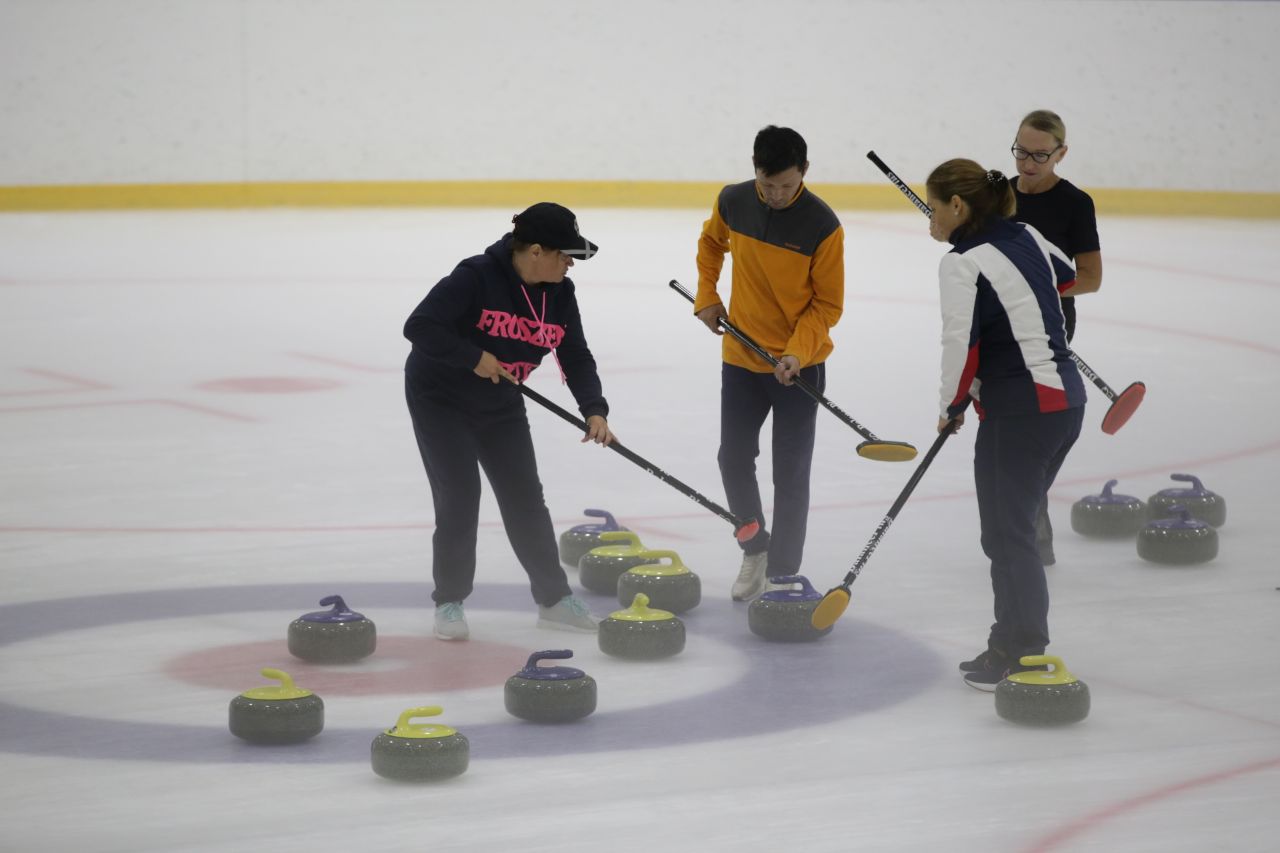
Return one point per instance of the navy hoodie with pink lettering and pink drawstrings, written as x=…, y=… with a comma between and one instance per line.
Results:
x=483, y=305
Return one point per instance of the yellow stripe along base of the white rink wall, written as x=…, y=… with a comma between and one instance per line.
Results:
x=582, y=194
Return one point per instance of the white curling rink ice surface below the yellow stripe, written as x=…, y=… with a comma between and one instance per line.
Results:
x=203, y=432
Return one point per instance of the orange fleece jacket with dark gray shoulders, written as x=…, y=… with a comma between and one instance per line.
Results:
x=789, y=275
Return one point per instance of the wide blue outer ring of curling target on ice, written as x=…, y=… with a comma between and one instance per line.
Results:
x=860, y=669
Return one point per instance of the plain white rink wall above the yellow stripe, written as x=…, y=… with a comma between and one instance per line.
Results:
x=1156, y=95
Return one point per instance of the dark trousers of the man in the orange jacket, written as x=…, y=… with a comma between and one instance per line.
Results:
x=747, y=400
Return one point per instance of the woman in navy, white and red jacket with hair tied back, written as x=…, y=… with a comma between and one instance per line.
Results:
x=1004, y=349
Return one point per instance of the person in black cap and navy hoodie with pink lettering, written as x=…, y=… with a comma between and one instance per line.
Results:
x=482, y=330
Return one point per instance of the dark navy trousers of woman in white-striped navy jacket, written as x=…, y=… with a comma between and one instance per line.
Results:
x=1016, y=462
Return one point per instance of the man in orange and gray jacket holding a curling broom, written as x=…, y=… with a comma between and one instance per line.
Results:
x=788, y=293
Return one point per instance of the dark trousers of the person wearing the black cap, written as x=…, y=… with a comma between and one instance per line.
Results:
x=455, y=448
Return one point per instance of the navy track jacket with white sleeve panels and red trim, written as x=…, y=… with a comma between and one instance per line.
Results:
x=1004, y=340
